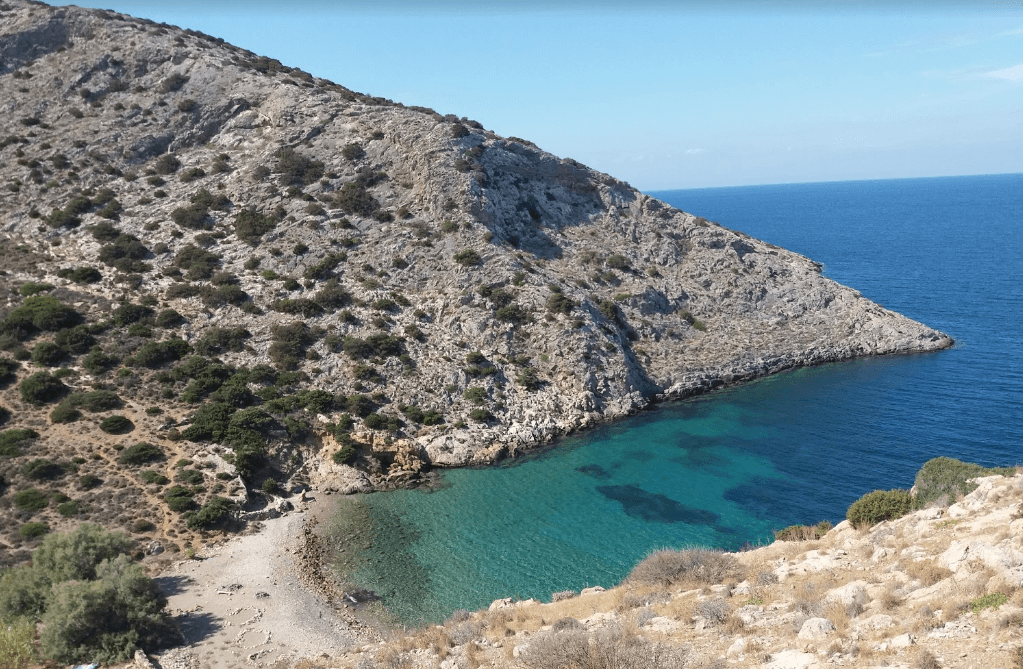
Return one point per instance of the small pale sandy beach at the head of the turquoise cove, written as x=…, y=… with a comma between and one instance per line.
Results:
x=258, y=599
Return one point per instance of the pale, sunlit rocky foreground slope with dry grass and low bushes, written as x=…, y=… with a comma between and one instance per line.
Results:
x=938, y=589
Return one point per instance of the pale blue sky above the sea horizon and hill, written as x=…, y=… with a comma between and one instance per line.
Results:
x=675, y=96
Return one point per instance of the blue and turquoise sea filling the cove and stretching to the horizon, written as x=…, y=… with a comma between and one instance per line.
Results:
x=728, y=469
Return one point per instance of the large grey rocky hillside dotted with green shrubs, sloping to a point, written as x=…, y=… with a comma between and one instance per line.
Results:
x=265, y=279
